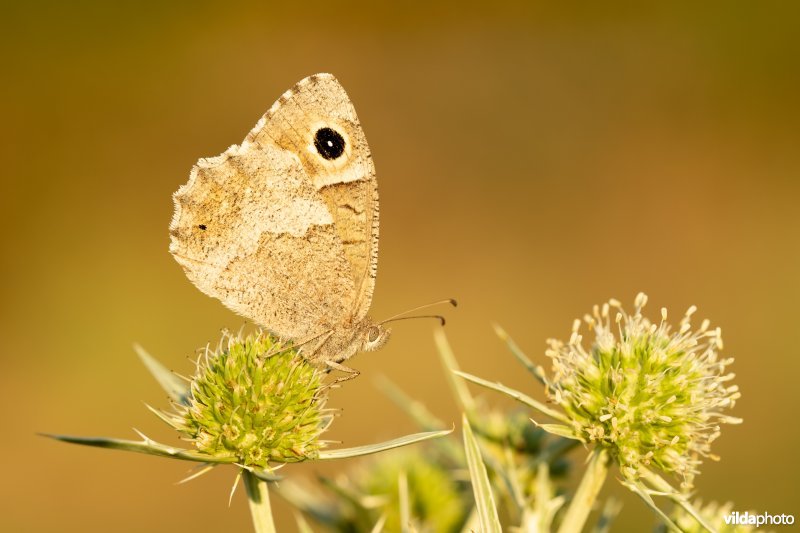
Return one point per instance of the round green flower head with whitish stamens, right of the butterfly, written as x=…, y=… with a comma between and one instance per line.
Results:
x=648, y=394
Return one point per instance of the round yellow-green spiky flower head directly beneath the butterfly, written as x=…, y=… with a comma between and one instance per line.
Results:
x=255, y=400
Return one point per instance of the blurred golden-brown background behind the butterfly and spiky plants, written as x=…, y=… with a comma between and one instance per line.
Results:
x=533, y=160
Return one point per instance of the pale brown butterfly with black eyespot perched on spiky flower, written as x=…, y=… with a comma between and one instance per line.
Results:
x=283, y=228
